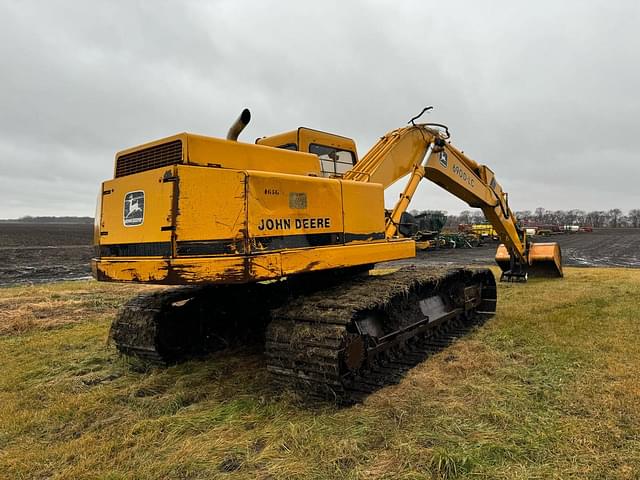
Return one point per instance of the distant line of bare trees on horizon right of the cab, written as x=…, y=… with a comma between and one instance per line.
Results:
x=614, y=218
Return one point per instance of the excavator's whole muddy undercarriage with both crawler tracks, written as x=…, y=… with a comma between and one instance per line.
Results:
x=337, y=337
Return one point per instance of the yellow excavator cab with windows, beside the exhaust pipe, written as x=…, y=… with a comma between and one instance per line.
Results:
x=337, y=154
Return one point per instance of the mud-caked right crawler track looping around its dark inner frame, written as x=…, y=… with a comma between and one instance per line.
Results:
x=305, y=338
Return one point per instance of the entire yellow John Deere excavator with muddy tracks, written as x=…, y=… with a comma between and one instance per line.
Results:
x=283, y=233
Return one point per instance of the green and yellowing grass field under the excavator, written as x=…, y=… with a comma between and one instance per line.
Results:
x=549, y=388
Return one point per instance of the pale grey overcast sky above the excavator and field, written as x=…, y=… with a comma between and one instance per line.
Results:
x=545, y=93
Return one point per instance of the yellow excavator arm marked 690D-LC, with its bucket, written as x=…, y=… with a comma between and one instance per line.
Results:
x=424, y=152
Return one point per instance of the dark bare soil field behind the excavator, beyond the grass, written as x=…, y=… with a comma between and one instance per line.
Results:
x=35, y=253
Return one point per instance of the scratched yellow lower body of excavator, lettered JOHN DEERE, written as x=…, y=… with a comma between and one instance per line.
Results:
x=219, y=225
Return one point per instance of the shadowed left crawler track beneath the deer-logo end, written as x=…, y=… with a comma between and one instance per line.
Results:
x=171, y=325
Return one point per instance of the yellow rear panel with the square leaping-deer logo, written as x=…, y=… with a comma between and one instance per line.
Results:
x=145, y=191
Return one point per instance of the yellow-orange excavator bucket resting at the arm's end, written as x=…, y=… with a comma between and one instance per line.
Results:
x=543, y=260
